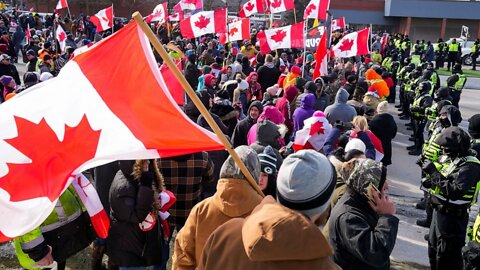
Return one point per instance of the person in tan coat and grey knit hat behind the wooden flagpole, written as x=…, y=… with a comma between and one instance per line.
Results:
x=234, y=198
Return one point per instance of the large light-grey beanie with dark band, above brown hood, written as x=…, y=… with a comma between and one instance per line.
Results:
x=306, y=181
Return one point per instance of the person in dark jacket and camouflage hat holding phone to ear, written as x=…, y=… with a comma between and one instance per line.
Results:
x=362, y=226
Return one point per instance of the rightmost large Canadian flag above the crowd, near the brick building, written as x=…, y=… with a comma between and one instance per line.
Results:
x=353, y=44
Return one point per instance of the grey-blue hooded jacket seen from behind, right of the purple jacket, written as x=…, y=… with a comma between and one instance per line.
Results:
x=340, y=110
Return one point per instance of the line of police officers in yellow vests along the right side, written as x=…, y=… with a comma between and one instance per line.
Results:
x=448, y=158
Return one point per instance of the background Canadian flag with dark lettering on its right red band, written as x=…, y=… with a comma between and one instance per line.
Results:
x=286, y=37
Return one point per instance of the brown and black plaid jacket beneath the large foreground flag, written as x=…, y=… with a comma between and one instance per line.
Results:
x=184, y=177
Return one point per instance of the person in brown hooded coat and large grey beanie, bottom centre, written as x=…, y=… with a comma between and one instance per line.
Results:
x=281, y=235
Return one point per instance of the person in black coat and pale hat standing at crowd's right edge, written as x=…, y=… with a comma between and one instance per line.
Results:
x=384, y=127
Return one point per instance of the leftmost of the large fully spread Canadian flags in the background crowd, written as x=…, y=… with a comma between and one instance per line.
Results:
x=204, y=22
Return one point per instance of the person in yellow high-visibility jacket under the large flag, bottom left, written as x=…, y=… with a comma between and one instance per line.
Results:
x=66, y=231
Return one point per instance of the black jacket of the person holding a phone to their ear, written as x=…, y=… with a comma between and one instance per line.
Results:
x=360, y=238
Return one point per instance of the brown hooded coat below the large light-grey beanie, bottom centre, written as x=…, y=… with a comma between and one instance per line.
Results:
x=273, y=237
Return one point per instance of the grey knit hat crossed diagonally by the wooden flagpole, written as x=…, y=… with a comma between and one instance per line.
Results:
x=230, y=169
